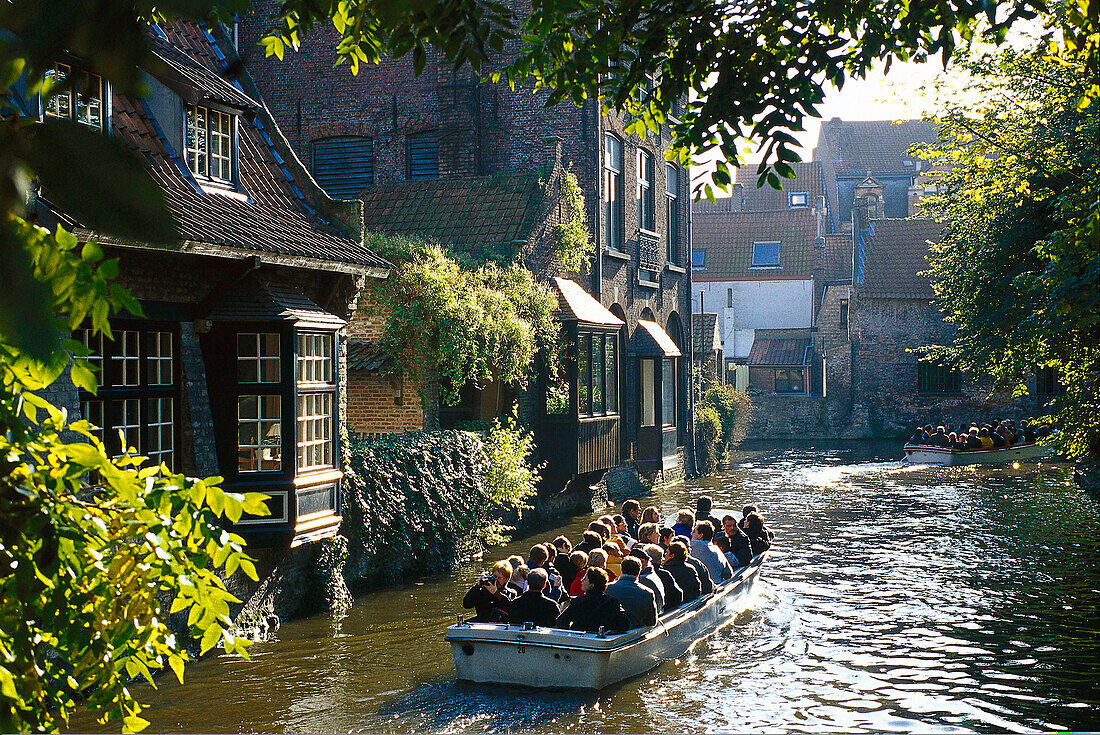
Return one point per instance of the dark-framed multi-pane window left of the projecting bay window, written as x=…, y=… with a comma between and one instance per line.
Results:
x=138, y=392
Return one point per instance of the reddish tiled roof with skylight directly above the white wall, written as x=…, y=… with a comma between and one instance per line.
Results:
x=729, y=238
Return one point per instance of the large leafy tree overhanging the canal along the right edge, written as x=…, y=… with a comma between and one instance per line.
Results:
x=1018, y=269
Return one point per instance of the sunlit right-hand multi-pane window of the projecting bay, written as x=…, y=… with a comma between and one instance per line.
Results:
x=316, y=401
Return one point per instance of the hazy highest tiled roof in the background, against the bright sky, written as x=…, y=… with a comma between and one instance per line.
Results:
x=856, y=147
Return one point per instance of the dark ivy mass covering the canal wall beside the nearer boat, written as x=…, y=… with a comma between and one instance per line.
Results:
x=420, y=502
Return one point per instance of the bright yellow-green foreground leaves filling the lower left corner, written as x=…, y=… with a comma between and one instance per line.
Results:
x=87, y=572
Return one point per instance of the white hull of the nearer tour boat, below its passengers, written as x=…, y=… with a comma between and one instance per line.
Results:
x=552, y=659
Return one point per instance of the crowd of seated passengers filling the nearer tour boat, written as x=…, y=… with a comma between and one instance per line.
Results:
x=625, y=572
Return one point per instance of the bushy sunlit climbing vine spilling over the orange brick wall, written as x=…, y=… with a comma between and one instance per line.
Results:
x=461, y=321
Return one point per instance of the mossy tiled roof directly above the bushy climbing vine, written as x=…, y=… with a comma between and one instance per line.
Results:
x=467, y=214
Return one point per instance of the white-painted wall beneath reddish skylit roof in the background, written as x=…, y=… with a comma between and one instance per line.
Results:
x=756, y=305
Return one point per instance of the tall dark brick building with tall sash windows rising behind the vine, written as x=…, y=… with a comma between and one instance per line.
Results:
x=388, y=128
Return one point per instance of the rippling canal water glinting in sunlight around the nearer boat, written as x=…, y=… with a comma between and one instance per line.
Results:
x=898, y=599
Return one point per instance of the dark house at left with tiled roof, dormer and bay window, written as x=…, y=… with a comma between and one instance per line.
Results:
x=239, y=369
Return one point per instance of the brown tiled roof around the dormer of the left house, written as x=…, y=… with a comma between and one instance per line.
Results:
x=269, y=215
